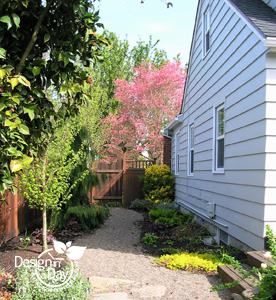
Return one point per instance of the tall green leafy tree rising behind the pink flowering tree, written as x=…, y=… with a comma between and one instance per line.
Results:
x=118, y=62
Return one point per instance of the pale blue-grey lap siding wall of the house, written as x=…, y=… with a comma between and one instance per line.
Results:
x=234, y=71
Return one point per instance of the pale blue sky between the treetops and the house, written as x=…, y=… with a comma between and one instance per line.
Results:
x=131, y=19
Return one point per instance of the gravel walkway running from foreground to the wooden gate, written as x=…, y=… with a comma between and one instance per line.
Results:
x=113, y=251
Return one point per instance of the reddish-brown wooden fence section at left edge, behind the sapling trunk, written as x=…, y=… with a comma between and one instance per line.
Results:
x=16, y=216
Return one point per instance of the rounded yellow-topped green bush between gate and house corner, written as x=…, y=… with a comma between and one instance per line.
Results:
x=158, y=184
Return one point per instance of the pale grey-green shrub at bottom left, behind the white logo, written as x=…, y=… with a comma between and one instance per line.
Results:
x=28, y=289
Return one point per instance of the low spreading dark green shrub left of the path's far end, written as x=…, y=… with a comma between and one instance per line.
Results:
x=88, y=216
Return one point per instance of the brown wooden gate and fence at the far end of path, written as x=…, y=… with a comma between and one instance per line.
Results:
x=119, y=181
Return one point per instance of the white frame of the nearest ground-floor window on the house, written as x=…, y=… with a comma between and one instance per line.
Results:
x=216, y=137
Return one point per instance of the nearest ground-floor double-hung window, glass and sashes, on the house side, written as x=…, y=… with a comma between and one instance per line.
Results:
x=219, y=138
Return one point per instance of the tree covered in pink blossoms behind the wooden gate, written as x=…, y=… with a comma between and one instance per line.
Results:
x=146, y=104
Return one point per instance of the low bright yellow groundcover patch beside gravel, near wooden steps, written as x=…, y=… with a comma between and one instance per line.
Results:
x=188, y=261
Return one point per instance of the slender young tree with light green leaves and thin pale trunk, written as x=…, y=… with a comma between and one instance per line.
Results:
x=45, y=183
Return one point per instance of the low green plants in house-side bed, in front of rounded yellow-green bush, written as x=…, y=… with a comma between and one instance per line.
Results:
x=169, y=217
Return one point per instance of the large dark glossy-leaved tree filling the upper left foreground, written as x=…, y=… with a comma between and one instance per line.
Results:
x=40, y=43
